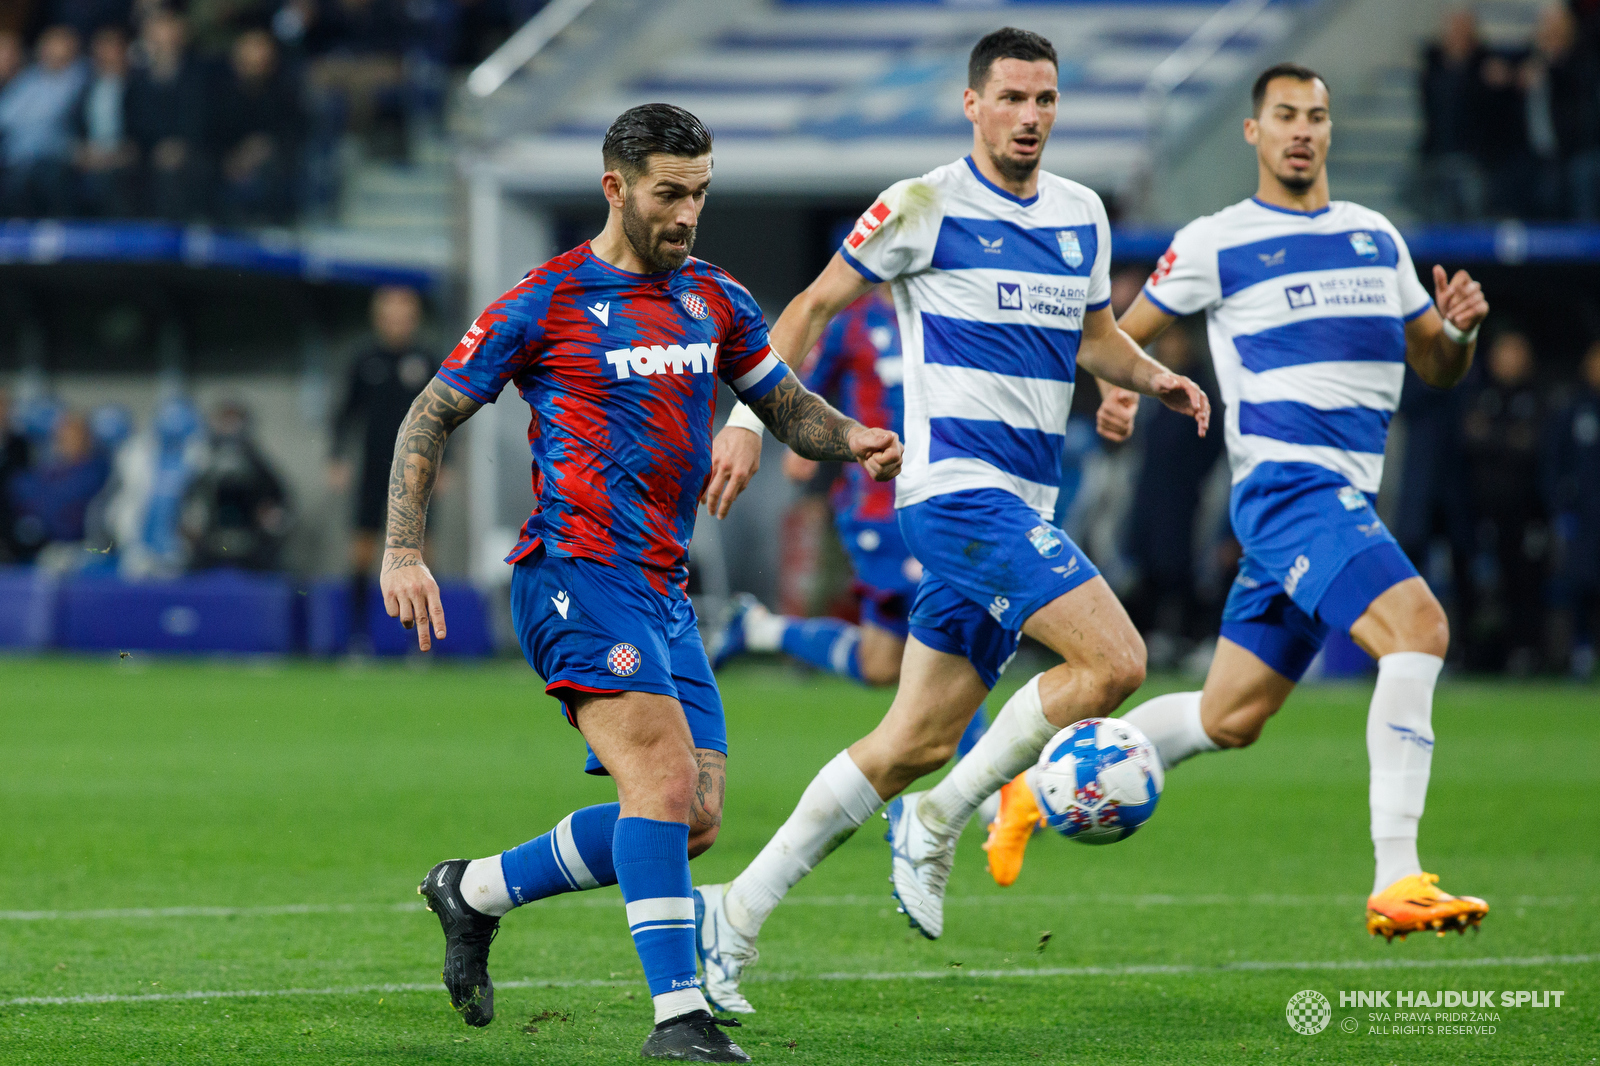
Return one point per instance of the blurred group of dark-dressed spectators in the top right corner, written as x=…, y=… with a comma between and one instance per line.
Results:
x=1513, y=132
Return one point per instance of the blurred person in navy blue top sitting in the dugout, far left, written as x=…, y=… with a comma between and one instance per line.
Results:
x=52, y=499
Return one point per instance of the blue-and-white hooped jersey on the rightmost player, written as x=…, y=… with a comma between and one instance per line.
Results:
x=1306, y=315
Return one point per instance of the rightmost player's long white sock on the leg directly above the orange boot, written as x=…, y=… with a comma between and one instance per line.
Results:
x=1401, y=751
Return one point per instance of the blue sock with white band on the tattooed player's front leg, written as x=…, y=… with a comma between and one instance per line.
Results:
x=654, y=870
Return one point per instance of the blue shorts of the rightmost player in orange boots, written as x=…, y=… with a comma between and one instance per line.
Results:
x=1316, y=558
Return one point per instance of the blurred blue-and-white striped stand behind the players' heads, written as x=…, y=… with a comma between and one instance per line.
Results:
x=810, y=97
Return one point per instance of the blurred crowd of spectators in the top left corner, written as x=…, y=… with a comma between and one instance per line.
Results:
x=230, y=111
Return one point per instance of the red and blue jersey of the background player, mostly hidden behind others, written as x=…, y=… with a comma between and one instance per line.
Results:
x=858, y=366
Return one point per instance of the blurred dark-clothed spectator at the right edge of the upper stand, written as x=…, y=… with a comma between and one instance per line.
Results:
x=1561, y=86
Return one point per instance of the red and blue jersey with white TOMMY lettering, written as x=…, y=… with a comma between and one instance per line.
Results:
x=622, y=375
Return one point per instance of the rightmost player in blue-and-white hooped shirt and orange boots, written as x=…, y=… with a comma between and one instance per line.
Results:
x=1314, y=311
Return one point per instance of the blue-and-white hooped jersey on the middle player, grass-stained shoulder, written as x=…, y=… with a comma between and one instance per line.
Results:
x=991, y=294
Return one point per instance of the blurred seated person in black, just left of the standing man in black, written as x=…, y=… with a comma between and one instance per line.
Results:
x=236, y=513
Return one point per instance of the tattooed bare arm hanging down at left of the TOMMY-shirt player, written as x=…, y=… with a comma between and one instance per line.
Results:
x=410, y=591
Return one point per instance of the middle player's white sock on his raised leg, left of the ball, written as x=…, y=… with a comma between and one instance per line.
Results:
x=1010, y=747
